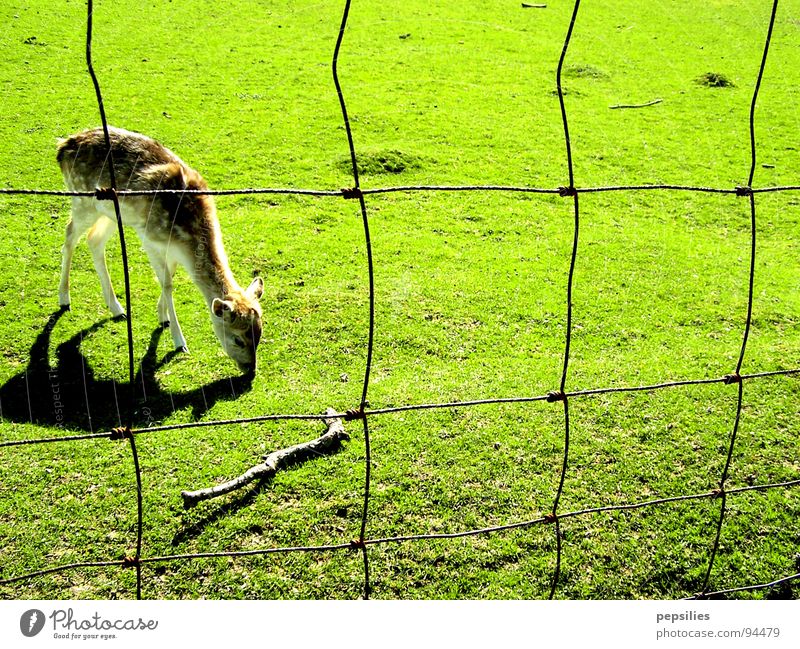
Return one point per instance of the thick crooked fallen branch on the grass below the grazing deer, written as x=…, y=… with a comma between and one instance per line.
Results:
x=327, y=443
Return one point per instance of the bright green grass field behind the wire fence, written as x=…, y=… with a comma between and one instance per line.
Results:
x=470, y=293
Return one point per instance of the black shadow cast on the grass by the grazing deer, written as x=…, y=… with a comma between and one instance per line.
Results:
x=69, y=395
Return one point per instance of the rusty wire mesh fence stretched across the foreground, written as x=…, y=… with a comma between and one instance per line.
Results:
x=364, y=413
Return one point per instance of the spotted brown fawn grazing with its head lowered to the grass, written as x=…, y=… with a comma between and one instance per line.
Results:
x=174, y=228
